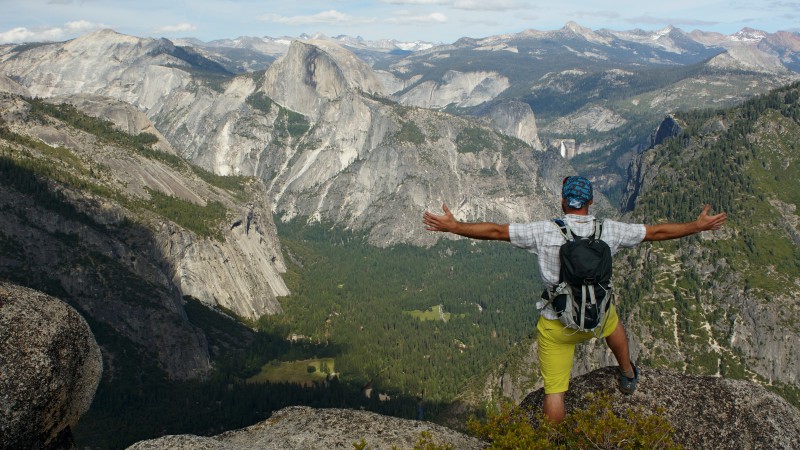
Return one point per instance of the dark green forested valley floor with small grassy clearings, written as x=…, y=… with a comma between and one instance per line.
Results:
x=366, y=308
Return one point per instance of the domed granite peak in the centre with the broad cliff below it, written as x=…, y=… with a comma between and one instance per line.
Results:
x=338, y=171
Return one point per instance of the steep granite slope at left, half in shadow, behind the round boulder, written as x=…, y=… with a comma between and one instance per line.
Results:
x=92, y=236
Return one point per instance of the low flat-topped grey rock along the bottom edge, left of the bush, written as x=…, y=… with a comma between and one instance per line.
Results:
x=300, y=427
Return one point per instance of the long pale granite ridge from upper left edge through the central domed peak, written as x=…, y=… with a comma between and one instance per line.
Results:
x=317, y=128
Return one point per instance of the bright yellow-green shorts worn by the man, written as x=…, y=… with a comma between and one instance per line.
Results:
x=557, y=348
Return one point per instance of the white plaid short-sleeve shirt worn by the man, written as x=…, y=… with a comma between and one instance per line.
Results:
x=544, y=239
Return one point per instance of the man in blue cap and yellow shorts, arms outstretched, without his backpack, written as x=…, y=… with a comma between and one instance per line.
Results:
x=544, y=239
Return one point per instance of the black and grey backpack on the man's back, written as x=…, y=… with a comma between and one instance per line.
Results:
x=583, y=294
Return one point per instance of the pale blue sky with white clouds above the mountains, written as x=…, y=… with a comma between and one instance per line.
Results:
x=438, y=21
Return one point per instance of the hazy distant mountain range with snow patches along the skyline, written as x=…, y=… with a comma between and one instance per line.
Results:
x=668, y=44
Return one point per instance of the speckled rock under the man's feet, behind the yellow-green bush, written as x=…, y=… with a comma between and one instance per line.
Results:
x=706, y=412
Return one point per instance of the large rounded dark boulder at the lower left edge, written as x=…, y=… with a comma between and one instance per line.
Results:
x=51, y=367
